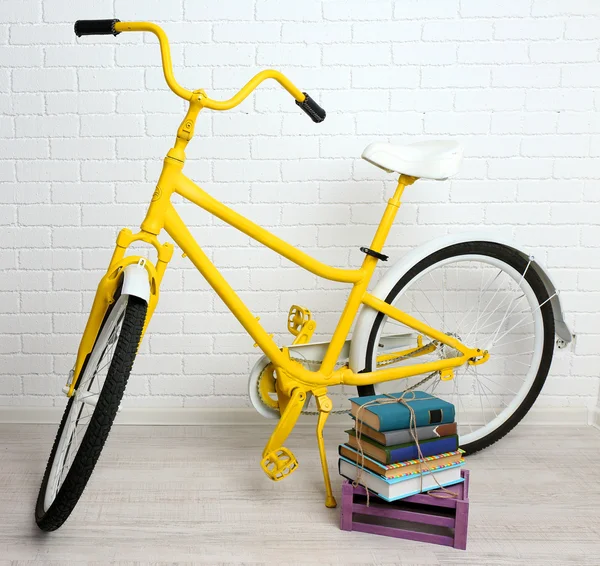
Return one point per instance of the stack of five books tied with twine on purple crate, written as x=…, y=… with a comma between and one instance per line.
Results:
x=382, y=455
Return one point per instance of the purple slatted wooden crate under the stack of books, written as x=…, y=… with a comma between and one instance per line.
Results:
x=421, y=511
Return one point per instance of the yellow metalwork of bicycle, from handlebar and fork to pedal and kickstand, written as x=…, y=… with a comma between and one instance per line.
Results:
x=294, y=380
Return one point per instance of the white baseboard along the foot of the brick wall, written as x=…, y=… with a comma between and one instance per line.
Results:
x=207, y=416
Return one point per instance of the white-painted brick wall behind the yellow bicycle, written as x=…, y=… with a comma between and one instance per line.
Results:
x=84, y=124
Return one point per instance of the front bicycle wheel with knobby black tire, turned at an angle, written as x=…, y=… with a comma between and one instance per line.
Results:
x=90, y=412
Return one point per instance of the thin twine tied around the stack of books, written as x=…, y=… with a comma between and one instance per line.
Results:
x=412, y=427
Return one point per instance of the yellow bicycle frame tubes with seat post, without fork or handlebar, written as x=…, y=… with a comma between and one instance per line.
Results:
x=163, y=213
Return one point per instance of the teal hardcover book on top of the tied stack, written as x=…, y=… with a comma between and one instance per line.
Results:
x=429, y=410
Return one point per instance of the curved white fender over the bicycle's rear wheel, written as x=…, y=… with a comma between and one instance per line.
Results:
x=367, y=315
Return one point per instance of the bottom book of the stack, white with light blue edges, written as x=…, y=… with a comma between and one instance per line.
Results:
x=397, y=488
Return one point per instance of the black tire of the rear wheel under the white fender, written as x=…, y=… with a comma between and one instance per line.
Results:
x=514, y=259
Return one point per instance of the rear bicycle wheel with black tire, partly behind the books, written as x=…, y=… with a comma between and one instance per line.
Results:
x=489, y=297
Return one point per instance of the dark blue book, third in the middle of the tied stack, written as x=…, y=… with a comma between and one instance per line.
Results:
x=402, y=452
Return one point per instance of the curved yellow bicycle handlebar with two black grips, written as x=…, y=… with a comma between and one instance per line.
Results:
x=114, y=27
